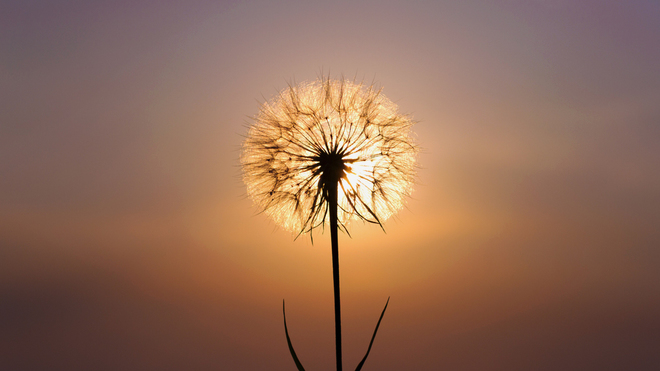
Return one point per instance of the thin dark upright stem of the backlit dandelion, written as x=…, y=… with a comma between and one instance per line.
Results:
x=332, y=204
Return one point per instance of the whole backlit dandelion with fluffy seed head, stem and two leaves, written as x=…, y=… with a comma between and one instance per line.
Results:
x=326, y=153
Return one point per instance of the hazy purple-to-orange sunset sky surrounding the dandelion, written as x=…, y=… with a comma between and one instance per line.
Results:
x=531, y=241
